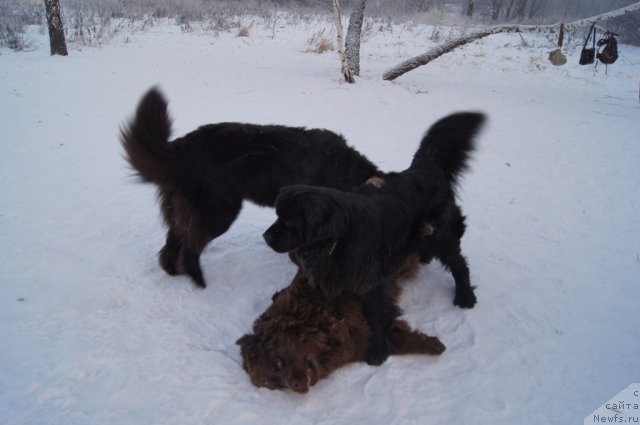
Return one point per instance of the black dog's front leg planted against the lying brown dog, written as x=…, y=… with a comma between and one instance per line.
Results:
x=380, y=312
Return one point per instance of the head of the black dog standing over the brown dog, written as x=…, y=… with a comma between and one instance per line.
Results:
x=307, y=216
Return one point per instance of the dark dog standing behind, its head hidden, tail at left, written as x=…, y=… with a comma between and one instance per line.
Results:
x=204, y=176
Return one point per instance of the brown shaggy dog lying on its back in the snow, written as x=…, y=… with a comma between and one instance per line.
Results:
x=303, y=336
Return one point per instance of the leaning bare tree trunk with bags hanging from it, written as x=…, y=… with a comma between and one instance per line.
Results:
x=436, y=52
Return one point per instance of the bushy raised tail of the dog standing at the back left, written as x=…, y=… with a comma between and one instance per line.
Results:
x=146, y=139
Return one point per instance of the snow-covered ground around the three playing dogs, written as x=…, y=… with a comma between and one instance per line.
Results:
x=93, y=332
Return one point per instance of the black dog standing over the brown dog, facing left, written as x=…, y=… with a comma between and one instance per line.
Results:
x=354, y=241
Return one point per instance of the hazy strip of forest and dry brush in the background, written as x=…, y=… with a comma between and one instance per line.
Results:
x=90, y=22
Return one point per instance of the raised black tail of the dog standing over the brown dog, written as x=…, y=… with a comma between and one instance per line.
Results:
x=449, y=142
